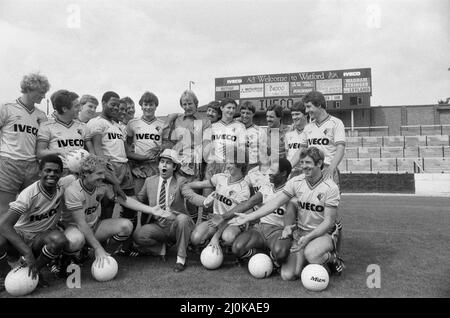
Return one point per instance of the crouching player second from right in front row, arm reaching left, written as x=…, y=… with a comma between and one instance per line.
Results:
x=266, y=233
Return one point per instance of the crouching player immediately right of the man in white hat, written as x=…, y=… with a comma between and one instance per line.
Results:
x=230, y=190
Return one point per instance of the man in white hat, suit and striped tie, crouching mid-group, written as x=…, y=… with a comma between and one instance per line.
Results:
x=165, y=190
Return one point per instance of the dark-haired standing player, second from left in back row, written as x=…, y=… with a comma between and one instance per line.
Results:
x=63, y=133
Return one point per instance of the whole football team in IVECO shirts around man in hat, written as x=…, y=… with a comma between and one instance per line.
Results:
x=145, y=185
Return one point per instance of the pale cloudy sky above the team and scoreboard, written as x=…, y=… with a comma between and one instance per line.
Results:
x=133, y=46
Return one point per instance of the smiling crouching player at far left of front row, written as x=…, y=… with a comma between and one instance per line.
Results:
x=29, y=228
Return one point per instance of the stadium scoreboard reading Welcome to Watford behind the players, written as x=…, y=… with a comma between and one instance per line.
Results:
x=343, y=89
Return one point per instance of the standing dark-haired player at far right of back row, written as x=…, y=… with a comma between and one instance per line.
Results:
x=325, y=132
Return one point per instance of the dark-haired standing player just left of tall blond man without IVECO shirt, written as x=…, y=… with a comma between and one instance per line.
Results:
x=145, y=134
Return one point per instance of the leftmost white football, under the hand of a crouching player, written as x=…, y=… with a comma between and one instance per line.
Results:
x=18, y=283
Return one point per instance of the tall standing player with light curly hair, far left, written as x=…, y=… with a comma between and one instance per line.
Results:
x=19, y=123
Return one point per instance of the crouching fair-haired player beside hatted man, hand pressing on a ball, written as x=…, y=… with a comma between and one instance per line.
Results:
x=81, y=217
